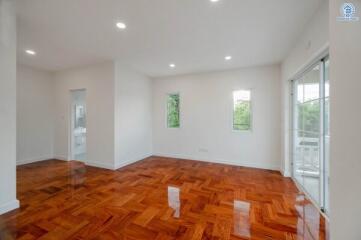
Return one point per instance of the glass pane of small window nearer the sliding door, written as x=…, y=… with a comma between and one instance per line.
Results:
x=242, y=110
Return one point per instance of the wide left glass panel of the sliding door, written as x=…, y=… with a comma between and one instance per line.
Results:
x=306, y=150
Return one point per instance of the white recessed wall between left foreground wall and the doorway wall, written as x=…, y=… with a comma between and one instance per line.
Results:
x=35, y=115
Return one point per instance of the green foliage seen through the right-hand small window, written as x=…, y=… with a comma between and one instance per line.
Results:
x=242, y=116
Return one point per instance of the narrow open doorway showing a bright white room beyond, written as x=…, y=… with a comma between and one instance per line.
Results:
x=78, y=125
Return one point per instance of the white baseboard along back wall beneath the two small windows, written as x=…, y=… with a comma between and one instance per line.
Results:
x=221, y=161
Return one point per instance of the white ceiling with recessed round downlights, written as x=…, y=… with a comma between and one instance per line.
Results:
x=194, y=34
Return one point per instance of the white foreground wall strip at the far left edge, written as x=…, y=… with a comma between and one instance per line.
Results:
x=7, y=106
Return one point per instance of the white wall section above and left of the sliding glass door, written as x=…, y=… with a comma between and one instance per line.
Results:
x=312, y=42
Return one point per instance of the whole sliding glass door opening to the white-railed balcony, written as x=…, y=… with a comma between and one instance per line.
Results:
x=310, y=137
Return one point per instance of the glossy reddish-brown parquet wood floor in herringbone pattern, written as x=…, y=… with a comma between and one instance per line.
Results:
x=160, y=199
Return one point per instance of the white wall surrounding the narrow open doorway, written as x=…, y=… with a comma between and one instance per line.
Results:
x=98, y=80
